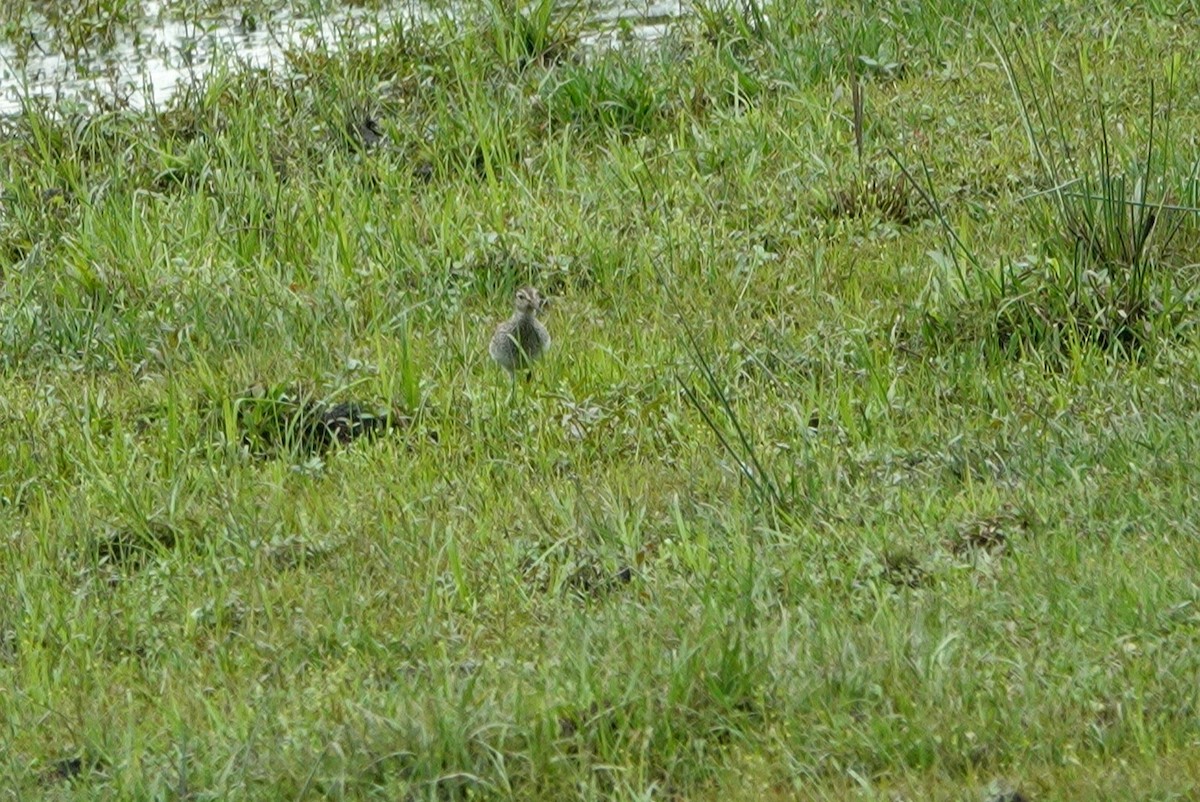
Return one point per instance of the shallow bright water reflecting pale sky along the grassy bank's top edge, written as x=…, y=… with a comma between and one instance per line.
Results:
x=146, y=64
